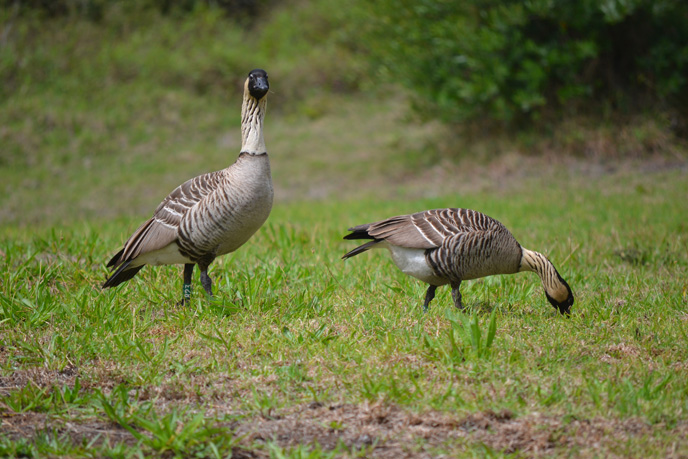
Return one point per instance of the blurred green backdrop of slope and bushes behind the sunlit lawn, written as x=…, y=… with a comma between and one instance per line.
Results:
x=111, y=101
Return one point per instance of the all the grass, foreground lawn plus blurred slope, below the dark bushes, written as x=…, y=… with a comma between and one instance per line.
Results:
x=301, y=354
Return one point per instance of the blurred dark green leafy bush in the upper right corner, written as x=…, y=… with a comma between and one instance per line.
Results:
x=501, y=60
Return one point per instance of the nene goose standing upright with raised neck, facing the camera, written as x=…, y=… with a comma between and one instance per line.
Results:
x=209, y=215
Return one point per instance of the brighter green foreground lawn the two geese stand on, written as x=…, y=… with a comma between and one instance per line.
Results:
x=293, y=326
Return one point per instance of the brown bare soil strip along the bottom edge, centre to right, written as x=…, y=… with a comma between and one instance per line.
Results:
x=387, y=431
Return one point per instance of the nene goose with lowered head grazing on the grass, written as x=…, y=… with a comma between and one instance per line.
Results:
x=447, y=246
